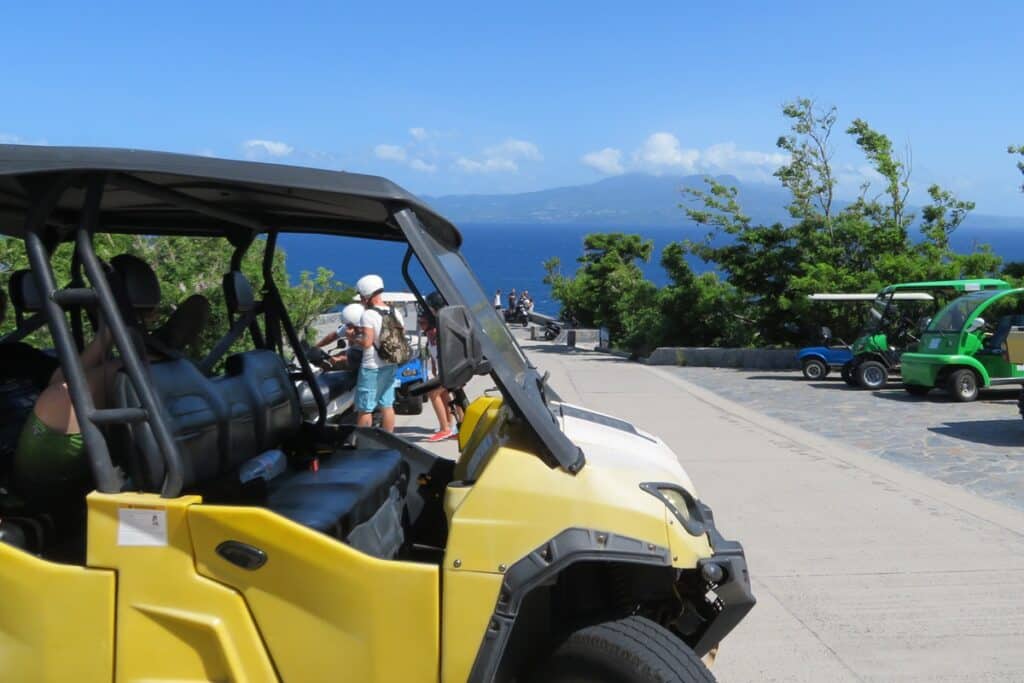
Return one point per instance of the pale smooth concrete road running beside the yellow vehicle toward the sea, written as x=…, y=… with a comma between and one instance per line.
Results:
x=865, y=571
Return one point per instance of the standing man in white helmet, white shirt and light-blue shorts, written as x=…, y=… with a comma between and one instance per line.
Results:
x=375, y=388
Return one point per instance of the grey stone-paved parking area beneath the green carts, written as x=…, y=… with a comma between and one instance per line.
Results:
x=979, y=446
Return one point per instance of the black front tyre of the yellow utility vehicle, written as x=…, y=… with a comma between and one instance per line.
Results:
x=630, y=650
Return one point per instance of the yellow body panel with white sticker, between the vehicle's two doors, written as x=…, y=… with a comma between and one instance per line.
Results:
x=173, y=624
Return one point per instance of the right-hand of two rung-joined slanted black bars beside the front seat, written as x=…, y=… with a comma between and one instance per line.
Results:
x=131, y=358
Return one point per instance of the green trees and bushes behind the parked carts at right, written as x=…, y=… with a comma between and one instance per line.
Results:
x=771, y=270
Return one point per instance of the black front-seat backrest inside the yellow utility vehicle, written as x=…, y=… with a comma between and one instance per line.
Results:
x=218, y=423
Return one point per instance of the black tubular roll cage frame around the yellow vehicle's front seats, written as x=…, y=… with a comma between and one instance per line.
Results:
x=68, y=339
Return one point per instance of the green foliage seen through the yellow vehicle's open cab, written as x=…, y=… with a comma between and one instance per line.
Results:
x=192, y=266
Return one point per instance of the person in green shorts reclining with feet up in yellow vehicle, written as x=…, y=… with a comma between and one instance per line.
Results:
x=50, y=462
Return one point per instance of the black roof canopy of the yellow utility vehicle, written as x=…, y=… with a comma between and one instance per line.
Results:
x=155, y=193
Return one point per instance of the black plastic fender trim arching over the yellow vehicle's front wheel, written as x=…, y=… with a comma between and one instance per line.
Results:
x=571, y=546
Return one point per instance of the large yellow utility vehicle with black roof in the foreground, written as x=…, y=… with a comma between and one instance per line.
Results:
x=570, y=545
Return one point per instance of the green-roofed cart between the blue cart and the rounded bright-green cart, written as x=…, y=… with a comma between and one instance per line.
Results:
x=897, y=321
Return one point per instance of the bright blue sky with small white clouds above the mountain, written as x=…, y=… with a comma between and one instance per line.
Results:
x=482, y=98
